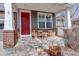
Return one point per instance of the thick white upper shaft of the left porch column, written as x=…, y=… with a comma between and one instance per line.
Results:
x=8, y=22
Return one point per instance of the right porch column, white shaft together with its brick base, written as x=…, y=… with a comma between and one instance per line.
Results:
x=67, y=23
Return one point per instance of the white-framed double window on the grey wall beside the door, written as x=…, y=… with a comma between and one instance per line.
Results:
x=45, y=20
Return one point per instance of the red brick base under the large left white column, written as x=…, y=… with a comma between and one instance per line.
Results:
x=9, y=38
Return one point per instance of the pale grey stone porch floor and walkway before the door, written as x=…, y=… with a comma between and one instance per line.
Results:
x=28, y=47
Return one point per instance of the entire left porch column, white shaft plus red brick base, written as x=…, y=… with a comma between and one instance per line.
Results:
x=9, y=33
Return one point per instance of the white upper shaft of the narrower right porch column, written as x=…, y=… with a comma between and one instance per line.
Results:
x=67, y=23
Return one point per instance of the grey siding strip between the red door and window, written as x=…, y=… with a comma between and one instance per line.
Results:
x=34, y=19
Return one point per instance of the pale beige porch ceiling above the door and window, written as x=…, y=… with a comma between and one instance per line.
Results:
x=46, y=7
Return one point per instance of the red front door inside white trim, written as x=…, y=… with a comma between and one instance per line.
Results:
x=25, y=23
